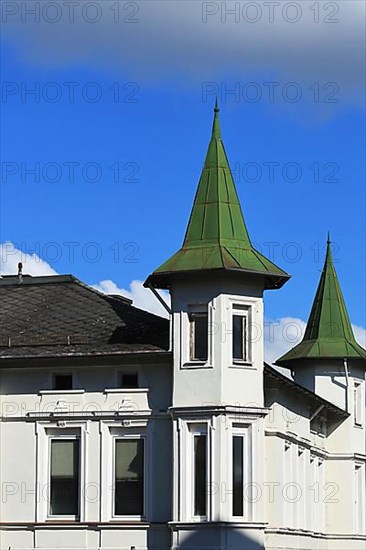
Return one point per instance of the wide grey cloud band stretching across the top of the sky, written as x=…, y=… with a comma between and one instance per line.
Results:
x=180, y=38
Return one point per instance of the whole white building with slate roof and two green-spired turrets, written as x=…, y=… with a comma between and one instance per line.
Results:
x=121, y=430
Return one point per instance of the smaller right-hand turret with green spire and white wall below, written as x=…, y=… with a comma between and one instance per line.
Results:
x=328, y=360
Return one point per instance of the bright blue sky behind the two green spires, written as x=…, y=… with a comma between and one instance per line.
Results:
x=130, y=219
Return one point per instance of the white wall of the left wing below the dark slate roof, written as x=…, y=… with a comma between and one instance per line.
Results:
x=29, y=407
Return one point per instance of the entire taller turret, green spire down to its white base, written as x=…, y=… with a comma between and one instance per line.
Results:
x=216, y=282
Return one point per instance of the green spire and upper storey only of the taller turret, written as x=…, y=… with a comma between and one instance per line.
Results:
x=216, y=281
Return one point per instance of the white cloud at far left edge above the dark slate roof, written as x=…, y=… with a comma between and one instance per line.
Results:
x=32, y=264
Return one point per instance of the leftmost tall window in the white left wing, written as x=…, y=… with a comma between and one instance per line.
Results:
x=64, y=477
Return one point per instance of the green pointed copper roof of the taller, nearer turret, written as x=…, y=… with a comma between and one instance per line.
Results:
x=216, y=236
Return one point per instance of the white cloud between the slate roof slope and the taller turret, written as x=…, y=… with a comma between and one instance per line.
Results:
x=142, y=297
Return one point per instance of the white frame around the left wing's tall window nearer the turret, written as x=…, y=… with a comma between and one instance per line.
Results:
x=131, y=517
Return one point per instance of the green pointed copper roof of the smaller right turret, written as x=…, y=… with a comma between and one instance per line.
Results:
x=328, y=332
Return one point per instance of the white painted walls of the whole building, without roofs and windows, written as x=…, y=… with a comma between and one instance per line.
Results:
x=280, y=448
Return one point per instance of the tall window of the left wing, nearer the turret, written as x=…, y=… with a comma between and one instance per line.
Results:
x=129, y=477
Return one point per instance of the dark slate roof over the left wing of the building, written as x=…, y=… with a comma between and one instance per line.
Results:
x=59, y=315
